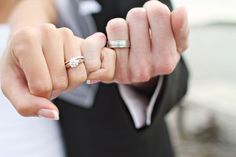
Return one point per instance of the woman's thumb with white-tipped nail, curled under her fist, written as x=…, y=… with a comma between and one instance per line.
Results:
x=14, y=87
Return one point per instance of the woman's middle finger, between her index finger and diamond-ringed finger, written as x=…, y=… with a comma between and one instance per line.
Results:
x=52, y=45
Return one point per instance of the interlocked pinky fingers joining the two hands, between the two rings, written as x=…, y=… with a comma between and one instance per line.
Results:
x=99, y=61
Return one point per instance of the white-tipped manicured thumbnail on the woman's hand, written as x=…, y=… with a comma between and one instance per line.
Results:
x=48, y=114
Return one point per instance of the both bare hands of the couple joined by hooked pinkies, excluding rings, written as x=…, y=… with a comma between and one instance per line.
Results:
x=30, y=74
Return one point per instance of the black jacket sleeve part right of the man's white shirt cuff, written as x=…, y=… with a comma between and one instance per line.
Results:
x=172, y=91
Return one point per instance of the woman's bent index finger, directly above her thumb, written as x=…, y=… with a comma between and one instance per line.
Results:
x=27, y=50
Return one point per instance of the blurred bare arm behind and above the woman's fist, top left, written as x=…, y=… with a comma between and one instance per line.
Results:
x=32, y=13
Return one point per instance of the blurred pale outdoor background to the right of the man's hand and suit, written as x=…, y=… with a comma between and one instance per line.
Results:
x=204, y=125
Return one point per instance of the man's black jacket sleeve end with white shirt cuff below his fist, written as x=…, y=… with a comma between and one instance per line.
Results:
x=147, y=105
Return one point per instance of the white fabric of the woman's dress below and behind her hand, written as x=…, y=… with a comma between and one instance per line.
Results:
x=25, y=137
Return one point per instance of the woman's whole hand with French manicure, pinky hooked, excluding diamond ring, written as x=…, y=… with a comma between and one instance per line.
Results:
x=33, y=68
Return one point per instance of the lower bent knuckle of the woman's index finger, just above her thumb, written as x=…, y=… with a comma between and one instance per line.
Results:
x=41, y=88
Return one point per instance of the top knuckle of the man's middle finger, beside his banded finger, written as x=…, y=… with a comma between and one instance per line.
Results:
x=136, y=14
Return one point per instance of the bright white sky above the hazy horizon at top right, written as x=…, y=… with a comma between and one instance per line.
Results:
x=209, y=11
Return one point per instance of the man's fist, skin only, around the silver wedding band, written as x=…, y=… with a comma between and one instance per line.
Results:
x=157, y=37
